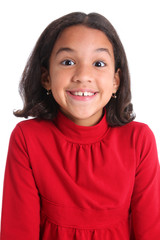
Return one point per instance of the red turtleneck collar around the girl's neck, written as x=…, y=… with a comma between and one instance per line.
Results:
x=81, y=134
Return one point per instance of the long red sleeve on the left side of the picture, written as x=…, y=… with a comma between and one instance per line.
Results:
x=21, y=204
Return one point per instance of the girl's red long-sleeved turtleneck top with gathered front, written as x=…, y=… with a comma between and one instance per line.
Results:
x=67, y=182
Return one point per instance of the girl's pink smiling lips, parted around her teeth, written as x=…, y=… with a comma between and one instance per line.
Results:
x=82, y=98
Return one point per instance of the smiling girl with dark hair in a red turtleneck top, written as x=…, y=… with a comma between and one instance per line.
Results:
x=82, y=168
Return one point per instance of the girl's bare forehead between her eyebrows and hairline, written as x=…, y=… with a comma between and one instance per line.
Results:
x=80, y=37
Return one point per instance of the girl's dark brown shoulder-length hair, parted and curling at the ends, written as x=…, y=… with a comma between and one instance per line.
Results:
x=40, y=105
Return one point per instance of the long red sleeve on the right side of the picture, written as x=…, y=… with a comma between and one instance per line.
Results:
x=145, y=204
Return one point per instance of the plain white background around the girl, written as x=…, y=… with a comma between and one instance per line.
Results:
x=137, y=23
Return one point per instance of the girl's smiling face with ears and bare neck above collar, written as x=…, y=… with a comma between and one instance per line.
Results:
x=82, y=74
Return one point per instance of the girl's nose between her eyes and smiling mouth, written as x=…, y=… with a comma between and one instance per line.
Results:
x=83, y=73
